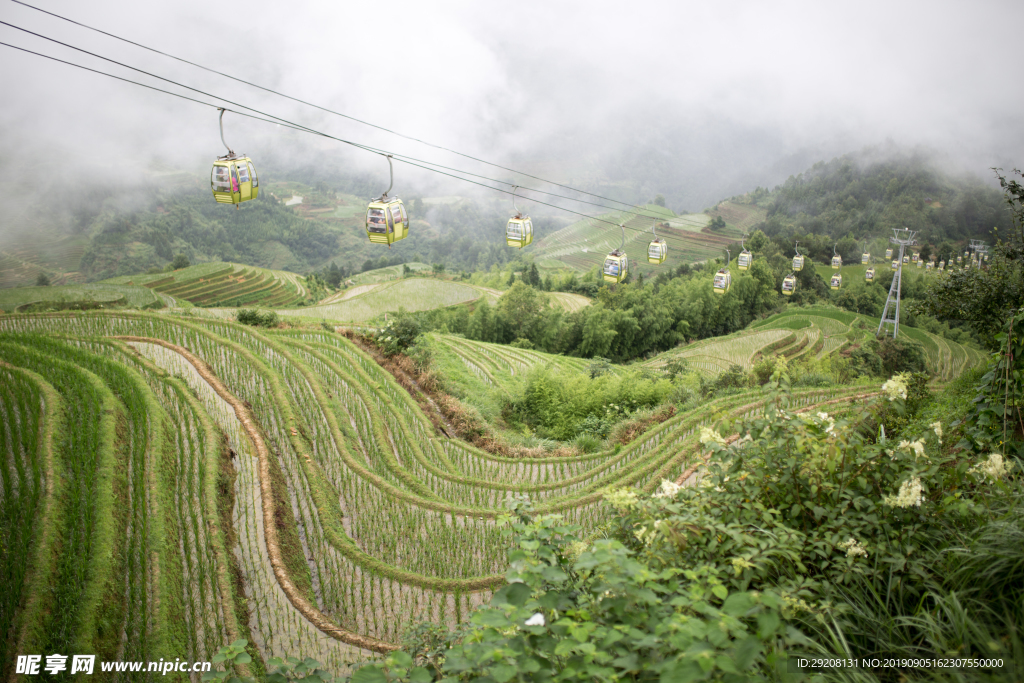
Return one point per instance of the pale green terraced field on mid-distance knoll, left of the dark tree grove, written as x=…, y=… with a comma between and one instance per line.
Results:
x=412, y=294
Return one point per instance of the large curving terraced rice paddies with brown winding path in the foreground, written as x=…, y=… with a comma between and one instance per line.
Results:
x=221, y=482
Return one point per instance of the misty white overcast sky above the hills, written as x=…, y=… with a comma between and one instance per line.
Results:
x=549, y=87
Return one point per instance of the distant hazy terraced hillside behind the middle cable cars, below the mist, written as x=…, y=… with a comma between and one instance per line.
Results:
x=585, y=244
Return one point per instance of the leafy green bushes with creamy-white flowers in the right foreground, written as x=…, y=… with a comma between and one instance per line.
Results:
x=787, y=547
